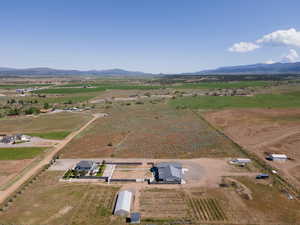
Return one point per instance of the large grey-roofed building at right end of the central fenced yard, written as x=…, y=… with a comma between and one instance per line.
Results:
x=168, y=173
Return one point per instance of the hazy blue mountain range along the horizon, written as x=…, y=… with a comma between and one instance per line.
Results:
x=261, y=68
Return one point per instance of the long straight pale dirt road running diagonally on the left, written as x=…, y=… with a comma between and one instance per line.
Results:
x=6, y=193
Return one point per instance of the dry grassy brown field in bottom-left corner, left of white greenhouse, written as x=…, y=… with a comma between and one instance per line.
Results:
x=48, y=201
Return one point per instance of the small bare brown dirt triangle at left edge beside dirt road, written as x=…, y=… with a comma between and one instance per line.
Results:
x=10, y=168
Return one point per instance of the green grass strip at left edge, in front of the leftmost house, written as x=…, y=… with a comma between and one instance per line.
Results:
x=19, y=153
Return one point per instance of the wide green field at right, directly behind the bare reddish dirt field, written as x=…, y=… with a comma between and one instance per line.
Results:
x=289, y=100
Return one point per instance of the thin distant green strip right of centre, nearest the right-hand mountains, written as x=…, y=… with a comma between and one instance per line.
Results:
x=214, y=85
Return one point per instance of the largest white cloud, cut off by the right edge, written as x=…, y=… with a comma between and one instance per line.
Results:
x=290, y=37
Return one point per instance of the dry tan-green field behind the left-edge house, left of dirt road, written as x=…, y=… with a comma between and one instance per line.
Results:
x=44, y=123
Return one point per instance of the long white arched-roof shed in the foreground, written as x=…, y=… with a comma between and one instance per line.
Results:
x=123, y=204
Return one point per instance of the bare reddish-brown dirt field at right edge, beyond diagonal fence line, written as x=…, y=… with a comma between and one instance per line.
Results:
x=265, y=130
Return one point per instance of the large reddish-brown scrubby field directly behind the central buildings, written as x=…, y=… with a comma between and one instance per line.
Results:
x=150, y=131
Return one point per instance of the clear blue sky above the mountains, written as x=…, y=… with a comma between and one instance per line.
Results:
x=166, y=36
